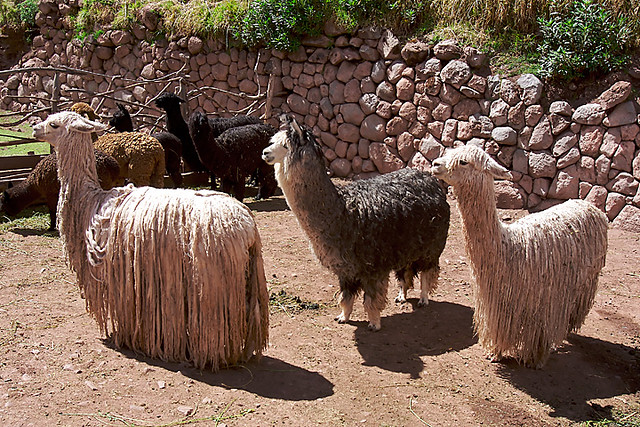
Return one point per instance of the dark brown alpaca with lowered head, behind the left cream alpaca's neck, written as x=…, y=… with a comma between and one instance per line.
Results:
x=43, y=184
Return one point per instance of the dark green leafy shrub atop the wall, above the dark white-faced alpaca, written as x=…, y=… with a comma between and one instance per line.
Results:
x=280, y=23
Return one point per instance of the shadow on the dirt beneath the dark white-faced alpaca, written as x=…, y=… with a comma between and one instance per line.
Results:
x=439, y=328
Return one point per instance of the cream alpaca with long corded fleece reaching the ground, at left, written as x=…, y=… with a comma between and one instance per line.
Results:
x=173, y=274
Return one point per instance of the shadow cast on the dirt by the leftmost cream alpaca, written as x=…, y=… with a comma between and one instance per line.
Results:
x=268, y=377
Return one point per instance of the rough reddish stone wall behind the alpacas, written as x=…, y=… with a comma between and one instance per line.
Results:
x=375, y=104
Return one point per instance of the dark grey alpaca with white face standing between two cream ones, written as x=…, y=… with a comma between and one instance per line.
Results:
x=366, y=229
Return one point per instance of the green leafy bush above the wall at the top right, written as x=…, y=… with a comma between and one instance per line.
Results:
x=585, y=40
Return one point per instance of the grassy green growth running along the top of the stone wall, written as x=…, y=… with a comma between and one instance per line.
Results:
x=509, y=31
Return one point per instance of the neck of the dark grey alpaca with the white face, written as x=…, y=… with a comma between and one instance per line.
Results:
x=311, y=195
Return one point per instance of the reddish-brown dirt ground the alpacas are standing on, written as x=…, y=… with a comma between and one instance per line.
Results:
x=423, y=368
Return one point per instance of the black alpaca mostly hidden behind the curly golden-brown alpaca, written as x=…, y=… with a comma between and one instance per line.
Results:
x=121, y=121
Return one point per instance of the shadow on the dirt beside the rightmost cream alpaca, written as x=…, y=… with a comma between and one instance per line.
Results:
x=582, y=369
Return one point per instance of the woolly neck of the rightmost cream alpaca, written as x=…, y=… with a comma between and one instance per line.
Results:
x=482, y=229
